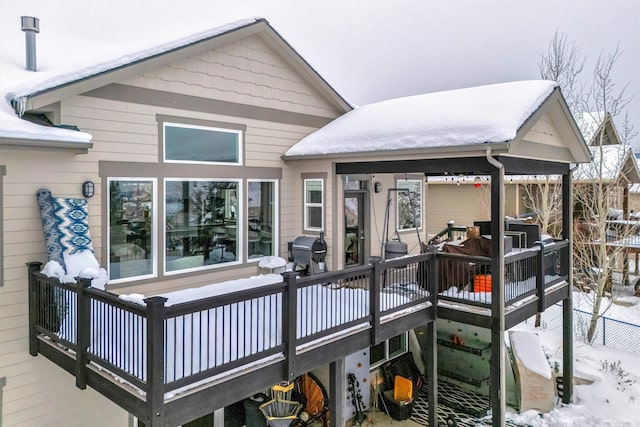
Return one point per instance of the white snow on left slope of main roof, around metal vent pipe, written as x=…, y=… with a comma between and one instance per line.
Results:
x=88, y=59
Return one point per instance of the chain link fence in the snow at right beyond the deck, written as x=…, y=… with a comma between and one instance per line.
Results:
x=610, y=333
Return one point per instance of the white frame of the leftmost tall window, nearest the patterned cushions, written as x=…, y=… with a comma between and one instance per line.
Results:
x=154, y=230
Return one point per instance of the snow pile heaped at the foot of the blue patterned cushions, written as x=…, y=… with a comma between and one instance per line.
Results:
x=82, y=264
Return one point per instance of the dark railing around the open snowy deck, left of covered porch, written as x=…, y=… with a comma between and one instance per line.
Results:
x=161, y=349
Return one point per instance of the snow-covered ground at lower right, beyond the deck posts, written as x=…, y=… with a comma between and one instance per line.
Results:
x=611, y=393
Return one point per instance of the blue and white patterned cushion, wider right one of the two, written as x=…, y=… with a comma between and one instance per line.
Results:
x=73, y=224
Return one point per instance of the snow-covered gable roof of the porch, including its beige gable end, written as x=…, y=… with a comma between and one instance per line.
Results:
x=499, y=116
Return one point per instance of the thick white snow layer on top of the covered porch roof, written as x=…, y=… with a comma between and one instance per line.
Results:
x=482, y=114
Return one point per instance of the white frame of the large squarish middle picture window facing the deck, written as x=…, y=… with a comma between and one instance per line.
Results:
x=239, y=227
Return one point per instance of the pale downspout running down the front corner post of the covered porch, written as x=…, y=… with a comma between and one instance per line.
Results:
x=498, y=385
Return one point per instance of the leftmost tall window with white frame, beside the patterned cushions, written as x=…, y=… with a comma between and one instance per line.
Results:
x=131, y=228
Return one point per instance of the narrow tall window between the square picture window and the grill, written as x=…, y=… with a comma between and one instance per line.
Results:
x=261, y=223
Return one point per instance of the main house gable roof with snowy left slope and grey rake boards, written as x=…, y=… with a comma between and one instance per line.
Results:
x=36, y=90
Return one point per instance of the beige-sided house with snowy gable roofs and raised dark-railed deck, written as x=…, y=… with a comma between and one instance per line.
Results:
x=212, y=152
